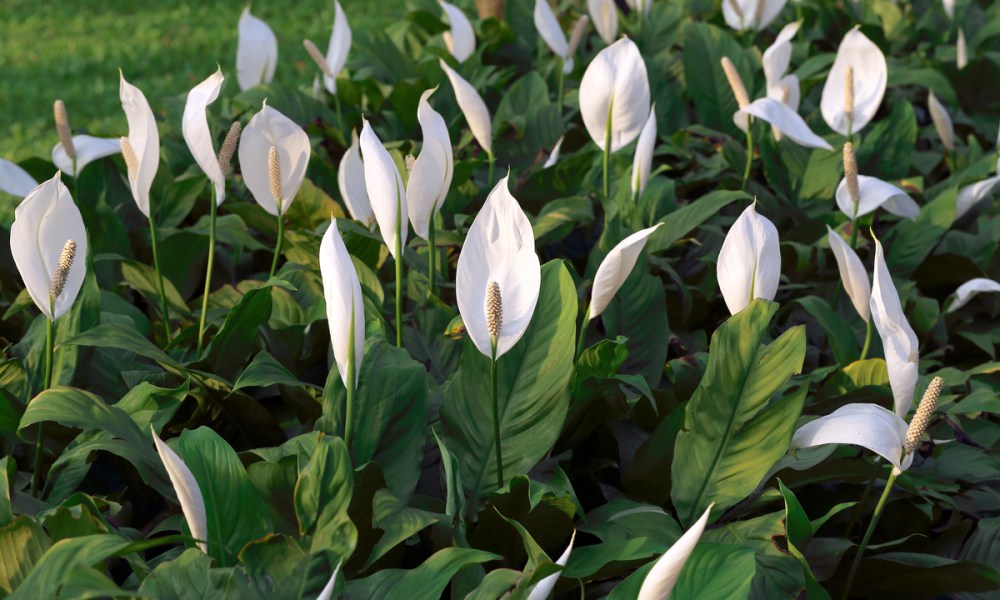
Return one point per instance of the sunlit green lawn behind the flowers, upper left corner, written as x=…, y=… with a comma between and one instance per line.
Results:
x=73, y=49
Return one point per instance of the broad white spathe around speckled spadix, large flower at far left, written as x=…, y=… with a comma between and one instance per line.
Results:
x=43, y=222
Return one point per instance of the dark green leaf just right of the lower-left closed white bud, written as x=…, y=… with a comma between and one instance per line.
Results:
x=236, y=515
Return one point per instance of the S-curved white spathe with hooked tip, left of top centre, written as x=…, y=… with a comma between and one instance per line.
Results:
x=430, y=178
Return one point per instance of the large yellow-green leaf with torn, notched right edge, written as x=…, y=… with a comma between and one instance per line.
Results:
x=732, y=432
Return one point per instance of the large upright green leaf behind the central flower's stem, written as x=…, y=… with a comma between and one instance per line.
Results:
x=533, y=381
